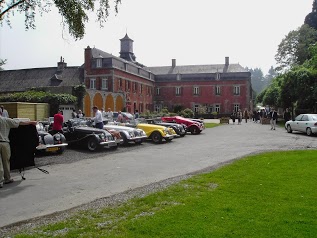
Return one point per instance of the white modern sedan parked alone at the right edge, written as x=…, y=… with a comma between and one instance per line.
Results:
x=306, y=123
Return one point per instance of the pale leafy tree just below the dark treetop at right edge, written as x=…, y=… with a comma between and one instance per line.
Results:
x=293, y=50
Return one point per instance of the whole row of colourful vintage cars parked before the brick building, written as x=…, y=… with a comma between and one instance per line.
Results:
x=82, y=133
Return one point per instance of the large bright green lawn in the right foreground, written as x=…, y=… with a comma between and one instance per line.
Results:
x=267, y=195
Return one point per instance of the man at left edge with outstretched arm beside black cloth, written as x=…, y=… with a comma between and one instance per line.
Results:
x=5, y=152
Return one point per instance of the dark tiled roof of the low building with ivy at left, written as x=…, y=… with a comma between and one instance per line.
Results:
x=20, y=80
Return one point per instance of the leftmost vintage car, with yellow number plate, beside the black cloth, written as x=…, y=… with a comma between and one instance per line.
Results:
x=50, y=143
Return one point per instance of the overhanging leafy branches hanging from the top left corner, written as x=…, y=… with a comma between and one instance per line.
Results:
x=74, y=12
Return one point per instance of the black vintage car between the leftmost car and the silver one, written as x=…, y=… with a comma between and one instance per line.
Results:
x=78, y=133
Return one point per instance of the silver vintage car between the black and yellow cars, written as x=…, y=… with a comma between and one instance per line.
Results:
x=128, y=134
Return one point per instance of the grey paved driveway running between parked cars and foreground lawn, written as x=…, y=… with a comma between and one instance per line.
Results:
x=72, y=184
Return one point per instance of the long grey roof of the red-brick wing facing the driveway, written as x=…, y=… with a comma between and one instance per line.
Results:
x=197, y=69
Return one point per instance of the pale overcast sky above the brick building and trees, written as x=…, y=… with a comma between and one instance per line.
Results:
x=192, y=32
